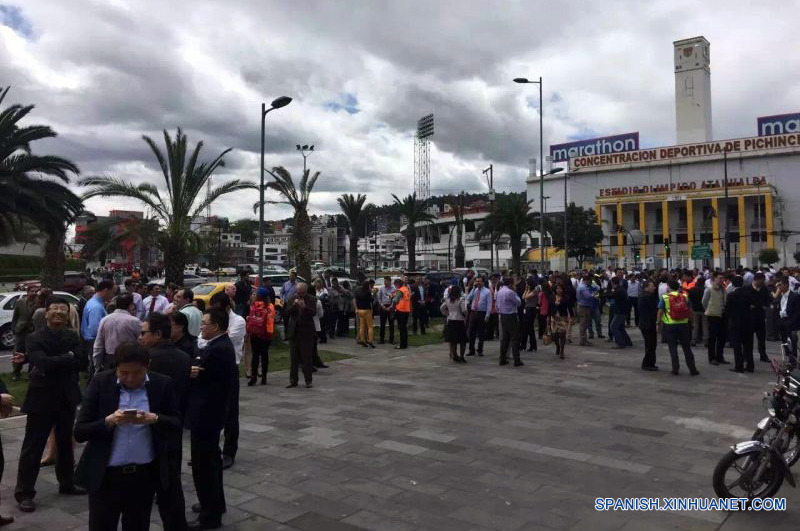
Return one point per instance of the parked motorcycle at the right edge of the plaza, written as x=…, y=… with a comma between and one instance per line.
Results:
x=757, y=468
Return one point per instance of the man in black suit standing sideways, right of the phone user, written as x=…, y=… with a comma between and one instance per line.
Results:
x=209, y=395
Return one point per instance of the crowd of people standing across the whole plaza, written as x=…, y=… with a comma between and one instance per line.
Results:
x=161, y=363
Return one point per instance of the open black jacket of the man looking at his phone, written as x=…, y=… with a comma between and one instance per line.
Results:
x=102, y=399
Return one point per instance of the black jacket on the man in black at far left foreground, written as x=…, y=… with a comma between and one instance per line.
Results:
x=54, y=371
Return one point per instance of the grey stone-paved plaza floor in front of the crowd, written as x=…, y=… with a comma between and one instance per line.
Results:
x=402, y=440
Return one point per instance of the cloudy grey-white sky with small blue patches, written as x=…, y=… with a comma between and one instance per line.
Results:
x=103, y=73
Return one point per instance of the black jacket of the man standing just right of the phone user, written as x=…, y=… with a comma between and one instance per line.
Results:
x=209, y=393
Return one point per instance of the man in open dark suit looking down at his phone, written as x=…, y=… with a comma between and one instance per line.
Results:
x=131, y=424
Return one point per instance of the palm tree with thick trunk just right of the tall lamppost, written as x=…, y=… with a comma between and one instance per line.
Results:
x=296, y=197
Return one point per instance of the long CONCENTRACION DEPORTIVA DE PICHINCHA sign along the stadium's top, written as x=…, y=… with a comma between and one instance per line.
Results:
x=689, y=151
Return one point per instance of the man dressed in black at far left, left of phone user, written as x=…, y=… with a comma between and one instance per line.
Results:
x=53, y=395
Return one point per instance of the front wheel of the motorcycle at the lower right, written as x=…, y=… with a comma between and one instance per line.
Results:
x=729, y=483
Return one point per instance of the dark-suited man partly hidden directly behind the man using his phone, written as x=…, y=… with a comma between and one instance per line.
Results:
x=167, y=359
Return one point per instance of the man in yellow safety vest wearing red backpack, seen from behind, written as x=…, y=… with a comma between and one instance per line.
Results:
x=674, y=314
